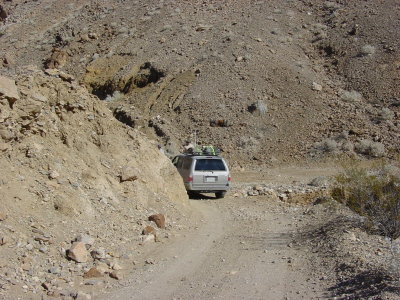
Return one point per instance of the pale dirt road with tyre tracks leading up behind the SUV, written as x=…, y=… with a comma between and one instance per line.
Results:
x=242, y=248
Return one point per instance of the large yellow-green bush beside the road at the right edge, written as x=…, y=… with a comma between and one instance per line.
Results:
x=374, y=194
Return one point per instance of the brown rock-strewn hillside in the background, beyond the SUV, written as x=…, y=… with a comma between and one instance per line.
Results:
x=268, y=82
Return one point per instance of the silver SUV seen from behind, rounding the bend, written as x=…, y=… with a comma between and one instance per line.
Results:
x=203, y=174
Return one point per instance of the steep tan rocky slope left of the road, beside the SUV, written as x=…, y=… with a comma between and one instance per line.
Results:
x=69, y=168
